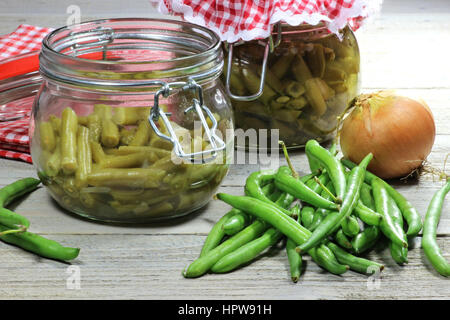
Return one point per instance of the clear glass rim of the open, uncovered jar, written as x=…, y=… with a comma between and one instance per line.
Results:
x=196, y=52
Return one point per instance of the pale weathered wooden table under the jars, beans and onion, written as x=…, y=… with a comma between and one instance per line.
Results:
x=405, y=47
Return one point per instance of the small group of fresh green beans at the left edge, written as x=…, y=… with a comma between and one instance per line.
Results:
x=13, y=226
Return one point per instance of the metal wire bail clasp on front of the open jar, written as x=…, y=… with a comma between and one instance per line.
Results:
x=216, y=143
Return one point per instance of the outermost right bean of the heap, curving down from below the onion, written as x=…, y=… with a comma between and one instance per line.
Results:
x=410, y=214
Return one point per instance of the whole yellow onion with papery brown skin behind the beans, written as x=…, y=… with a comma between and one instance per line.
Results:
x=398, y=131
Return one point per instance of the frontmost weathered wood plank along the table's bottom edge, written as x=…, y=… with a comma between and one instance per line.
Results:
x=140, y=267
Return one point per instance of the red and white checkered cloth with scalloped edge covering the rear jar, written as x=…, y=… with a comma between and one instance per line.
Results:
x=235, y=20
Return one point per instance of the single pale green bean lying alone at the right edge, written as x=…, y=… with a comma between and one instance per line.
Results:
x=429, y=244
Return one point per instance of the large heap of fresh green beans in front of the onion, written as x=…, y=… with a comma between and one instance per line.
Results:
x=334, y=215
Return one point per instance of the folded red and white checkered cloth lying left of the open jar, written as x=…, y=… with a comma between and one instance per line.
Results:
x=14, y=139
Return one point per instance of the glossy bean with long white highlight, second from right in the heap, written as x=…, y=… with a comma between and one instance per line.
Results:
x=387, y=225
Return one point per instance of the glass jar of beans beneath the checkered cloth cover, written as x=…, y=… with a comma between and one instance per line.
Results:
x=310, y=78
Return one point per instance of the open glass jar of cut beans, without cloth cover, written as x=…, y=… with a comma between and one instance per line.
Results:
x=131, y=123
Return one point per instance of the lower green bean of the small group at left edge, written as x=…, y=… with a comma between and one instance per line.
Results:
x=44, y=247
